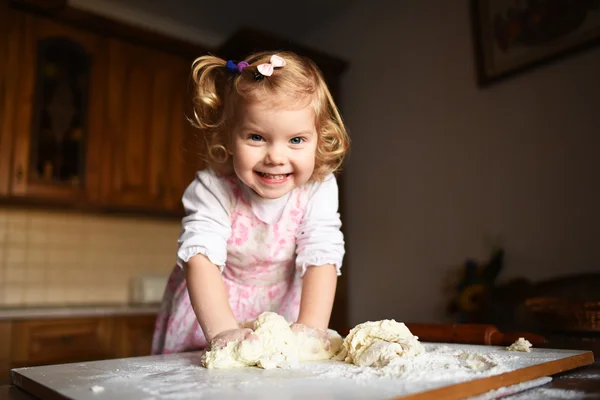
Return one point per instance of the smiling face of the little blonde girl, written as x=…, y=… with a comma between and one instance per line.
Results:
x=274, y=148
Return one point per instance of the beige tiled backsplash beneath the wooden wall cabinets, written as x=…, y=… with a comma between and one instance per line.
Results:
x=55, y=258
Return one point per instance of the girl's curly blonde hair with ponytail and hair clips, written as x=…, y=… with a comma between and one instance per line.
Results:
x=217, y=92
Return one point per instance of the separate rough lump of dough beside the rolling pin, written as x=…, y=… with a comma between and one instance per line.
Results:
x=377, y=344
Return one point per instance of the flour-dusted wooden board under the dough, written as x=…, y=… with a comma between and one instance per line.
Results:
x=446, y=371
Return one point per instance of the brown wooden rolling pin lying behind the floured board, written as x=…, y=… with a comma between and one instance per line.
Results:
x=470, y=334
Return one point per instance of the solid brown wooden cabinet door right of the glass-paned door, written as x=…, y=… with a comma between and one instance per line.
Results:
x=139, y=103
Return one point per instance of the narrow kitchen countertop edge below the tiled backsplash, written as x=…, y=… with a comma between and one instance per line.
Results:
x=71, y=311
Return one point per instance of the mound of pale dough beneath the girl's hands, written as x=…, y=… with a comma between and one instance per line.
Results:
x=274, y=345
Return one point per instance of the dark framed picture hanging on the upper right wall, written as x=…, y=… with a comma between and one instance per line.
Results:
x=514, y=35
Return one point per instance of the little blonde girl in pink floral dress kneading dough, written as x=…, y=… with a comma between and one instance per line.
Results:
x=262, y=229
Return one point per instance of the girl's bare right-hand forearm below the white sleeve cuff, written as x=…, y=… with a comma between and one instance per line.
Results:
x=318, y=292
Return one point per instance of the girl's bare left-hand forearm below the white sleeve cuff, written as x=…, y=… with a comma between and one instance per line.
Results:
x=208, y=297
